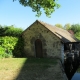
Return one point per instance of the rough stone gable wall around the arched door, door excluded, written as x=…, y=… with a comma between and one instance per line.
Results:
x=51, y=44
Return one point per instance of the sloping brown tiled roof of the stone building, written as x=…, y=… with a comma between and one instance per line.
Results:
x=64, y=35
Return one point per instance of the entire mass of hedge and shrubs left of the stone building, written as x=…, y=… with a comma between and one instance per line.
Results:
x=10, y=41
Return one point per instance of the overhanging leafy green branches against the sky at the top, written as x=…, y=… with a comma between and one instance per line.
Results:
x=48, y=6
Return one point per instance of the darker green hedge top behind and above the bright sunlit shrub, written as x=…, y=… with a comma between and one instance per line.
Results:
x=10, y=31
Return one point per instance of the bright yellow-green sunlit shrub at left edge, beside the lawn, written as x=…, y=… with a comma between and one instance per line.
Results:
x=7, y=45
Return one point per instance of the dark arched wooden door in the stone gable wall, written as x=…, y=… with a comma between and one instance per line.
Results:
x=38, y=48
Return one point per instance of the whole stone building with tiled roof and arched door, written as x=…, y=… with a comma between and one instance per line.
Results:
x=44, y=40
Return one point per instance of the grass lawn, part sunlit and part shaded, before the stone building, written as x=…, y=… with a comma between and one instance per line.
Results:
x=27, y=68
